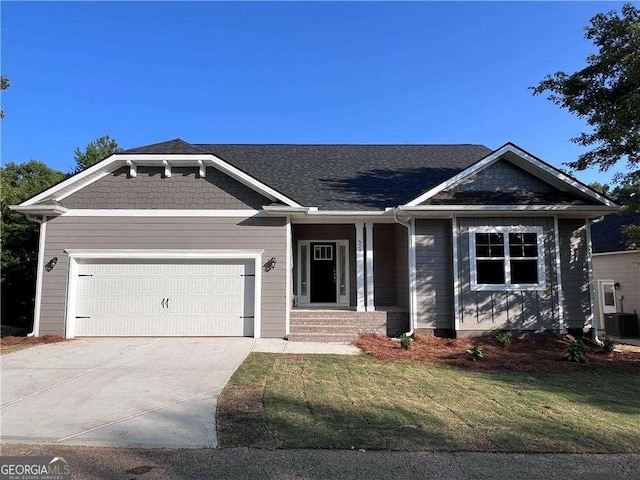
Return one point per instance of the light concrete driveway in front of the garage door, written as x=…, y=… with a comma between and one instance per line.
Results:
x=157, y=392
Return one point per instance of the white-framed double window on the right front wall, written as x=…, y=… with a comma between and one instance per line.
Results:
x=506, y=258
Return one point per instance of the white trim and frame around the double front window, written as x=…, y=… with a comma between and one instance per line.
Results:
x=507, y=286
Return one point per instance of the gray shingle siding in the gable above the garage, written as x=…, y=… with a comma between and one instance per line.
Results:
x=149, y=189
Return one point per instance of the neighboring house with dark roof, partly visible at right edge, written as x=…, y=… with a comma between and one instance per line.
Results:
x=616, y=269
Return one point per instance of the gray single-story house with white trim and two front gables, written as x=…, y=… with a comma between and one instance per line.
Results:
x=314, y=242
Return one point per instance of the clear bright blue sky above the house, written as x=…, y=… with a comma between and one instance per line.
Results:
x=293, y=72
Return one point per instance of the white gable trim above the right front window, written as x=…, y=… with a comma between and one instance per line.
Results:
x=497, y=155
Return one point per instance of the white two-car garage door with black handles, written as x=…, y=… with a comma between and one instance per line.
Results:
x=165, y=298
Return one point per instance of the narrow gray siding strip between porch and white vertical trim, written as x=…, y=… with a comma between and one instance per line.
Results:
x=434, y=272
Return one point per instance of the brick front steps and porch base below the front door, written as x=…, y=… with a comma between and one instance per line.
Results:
x=342, y=325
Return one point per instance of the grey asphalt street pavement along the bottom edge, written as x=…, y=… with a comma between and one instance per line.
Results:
x=92, y=463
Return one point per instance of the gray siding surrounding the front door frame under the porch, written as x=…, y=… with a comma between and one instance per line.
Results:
x=328, y=232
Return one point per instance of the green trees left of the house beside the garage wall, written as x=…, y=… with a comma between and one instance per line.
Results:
x=19, y=257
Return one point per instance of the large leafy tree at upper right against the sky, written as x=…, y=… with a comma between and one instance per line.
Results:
x=606, y=93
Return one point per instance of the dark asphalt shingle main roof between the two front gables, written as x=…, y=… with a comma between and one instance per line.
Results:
x=340, y=177
